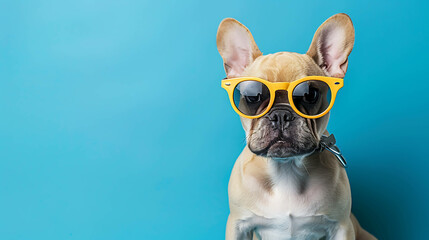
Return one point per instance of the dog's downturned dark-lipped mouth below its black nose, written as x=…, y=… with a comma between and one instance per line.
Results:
x=280, y=148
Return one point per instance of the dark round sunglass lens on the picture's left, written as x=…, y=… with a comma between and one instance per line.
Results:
x=251, y=97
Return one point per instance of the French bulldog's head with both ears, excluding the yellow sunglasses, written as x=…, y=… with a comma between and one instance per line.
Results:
x=282, y=133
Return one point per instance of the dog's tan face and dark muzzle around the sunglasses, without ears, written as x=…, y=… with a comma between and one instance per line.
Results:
x=282, y=133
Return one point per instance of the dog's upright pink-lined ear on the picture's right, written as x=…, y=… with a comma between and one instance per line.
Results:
x=332, y=44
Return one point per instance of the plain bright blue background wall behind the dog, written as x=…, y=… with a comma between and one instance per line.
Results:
x=114, y=126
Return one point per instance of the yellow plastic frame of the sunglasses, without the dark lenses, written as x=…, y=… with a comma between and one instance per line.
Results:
x=334, y=84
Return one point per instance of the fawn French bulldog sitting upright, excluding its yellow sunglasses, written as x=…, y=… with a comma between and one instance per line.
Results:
x=283, y=187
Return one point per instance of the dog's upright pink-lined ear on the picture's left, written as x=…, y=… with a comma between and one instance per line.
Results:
x=236, y=45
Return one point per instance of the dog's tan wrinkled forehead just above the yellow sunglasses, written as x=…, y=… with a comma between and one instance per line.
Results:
x=283, y=67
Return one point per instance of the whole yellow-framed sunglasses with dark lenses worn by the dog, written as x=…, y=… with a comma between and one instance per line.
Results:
x=310, y=97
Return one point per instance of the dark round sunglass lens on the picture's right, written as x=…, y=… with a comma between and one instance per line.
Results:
x=312, y=97
